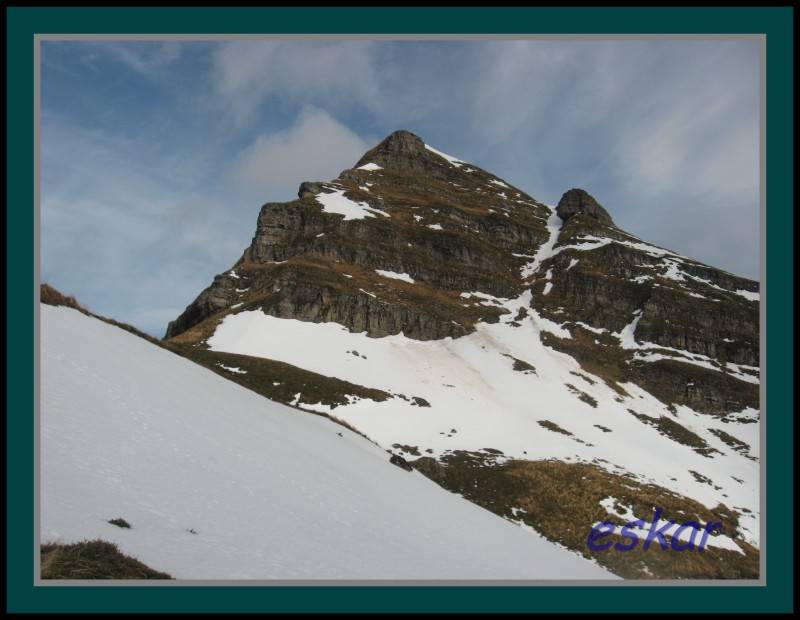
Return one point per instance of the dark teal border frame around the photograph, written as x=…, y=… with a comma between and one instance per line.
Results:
x=23, y=23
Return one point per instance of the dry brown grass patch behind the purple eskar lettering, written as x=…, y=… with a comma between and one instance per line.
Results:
x=562, y=502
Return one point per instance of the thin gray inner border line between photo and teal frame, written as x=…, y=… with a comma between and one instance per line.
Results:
x=762, y=581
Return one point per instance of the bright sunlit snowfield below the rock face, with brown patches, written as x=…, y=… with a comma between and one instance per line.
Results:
x=479, y=400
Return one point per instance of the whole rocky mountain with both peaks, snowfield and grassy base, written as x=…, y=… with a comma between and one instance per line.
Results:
x=509, y=349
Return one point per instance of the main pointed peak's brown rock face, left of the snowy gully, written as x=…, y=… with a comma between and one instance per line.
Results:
x=446, y=225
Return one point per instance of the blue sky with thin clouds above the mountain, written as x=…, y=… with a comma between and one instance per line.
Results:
x=156, y=156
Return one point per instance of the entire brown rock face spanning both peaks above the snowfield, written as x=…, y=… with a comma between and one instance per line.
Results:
x=686, y=331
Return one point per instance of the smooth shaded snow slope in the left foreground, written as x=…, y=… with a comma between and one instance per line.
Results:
x=220, y=483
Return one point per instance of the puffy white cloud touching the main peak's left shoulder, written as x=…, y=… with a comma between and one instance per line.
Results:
x=316, y=148
